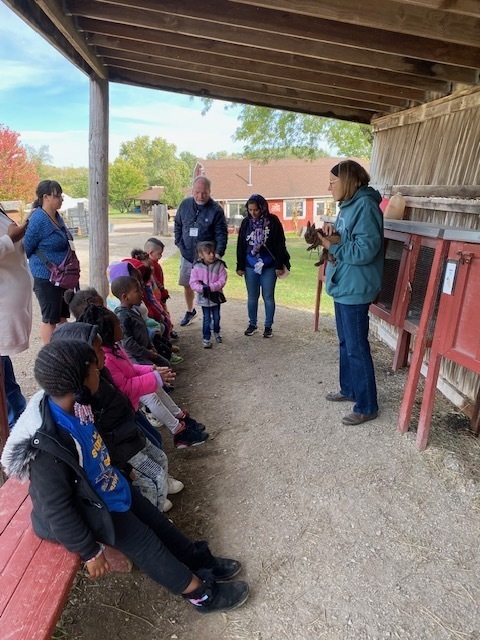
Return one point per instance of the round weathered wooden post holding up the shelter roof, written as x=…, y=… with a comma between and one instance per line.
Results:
x=98, y=184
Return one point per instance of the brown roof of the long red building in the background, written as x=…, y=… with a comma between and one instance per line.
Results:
x=289, y=178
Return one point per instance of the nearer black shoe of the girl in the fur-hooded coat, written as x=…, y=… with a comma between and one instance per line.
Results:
x=212, y=597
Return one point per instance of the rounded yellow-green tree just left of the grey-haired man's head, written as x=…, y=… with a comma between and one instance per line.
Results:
x=158, y=162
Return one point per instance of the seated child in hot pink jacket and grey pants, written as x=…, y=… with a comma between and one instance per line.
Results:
x=143, y=383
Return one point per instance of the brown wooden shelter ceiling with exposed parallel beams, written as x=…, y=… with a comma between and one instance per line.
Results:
x=338, y=58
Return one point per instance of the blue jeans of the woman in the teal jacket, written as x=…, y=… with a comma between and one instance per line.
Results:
x=357, y=375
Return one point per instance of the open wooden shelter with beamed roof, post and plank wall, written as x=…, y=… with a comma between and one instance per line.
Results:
x=409, y=67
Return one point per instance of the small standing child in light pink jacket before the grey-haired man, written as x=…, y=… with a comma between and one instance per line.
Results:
x=208, y=277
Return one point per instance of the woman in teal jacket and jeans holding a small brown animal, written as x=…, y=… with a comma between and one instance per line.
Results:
x=354, y=281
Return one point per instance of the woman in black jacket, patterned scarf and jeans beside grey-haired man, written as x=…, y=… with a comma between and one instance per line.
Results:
x=262, y=257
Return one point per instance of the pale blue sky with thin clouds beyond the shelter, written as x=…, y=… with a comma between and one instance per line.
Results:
x=45, y=99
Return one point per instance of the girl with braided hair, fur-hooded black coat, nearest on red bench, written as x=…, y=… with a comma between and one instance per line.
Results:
x=80, y=500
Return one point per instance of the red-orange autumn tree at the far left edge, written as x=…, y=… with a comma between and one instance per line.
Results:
x=18, y=174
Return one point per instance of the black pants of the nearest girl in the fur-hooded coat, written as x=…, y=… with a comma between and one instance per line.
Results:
x=155, y=545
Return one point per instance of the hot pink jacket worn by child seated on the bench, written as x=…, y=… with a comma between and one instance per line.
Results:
x=134, y=380
